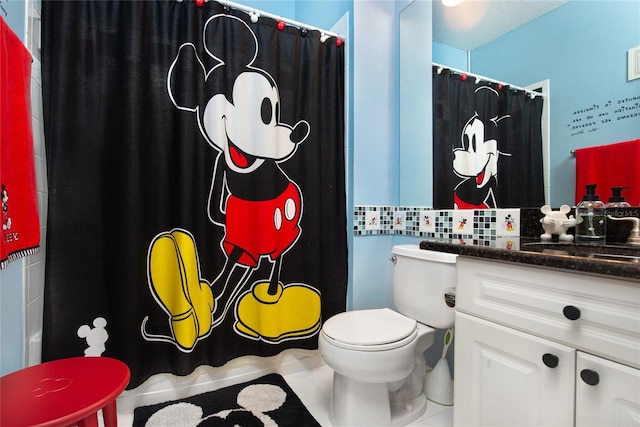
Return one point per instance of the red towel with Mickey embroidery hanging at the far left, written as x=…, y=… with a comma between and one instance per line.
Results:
x=20, y=221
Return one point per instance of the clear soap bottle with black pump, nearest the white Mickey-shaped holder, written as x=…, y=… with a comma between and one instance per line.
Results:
x=590, y=219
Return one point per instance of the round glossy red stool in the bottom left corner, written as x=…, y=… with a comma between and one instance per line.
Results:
x=63, y=392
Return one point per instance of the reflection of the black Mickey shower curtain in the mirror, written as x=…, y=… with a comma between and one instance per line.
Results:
x=487, y=145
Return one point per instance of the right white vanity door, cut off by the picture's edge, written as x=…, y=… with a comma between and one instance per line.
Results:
x=607, y=393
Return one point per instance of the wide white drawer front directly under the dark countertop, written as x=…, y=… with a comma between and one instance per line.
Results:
x=535, y=300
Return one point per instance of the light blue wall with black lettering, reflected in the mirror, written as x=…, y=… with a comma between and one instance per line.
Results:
x=582, y=48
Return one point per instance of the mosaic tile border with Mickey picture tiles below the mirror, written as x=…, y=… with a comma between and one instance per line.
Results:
x=488, y=224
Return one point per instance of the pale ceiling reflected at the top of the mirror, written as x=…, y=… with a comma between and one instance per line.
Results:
x=474, y=23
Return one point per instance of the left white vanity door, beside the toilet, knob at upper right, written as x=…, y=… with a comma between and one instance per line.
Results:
x=505, y=377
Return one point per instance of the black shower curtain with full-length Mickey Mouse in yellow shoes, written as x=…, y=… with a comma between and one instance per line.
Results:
x=196, y=184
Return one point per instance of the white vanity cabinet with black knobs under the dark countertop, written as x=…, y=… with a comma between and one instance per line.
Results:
x=538, y=347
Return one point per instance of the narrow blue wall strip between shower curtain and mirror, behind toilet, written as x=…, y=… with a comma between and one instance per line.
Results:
x=374, y=173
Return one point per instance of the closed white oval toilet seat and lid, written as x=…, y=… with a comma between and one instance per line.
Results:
x=370, y=330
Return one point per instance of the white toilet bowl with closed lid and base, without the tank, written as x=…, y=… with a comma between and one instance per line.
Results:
x=369, y=372
